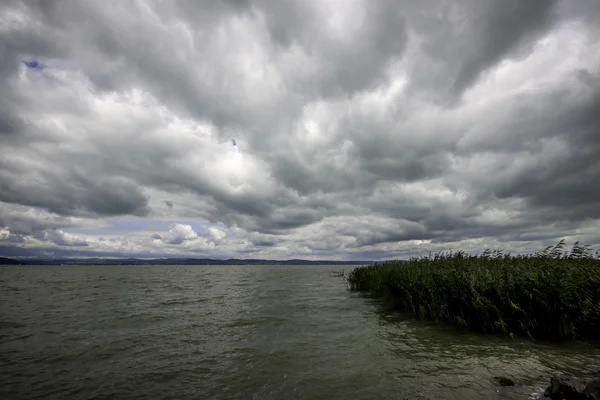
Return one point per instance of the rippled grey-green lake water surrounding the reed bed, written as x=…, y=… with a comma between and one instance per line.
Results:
x=243, y=332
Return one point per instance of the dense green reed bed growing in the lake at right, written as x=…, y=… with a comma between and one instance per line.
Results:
x=553, y=294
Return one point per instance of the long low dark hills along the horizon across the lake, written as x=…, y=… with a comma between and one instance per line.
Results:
x=187, y=261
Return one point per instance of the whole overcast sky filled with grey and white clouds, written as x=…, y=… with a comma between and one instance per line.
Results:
x=363, y=129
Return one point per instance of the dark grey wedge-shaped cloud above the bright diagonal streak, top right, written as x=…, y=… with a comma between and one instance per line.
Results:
x=460, y=41
